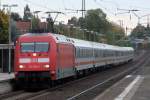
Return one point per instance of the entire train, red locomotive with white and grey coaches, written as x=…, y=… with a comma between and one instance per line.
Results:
x=51, y=57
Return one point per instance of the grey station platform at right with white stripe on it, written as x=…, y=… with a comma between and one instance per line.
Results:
x=132, y=87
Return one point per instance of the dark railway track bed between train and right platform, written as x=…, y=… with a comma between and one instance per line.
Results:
x=83, y=88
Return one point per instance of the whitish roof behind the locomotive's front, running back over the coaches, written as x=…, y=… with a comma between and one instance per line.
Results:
x=89, y=44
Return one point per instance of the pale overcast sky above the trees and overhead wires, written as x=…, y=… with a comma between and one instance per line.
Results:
x=110, y=7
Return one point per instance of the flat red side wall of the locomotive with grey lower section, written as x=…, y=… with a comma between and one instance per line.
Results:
x=65, y=60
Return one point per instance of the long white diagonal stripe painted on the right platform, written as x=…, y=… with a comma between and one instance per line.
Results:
x=128, y=89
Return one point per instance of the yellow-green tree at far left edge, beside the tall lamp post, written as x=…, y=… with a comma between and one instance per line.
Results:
x=3, y=27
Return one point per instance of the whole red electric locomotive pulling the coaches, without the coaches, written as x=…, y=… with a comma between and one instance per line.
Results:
x=43, y=57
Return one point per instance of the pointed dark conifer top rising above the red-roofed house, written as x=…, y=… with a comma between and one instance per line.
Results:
x=27, y=14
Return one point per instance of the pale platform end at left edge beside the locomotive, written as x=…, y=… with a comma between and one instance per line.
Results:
x=6, y=76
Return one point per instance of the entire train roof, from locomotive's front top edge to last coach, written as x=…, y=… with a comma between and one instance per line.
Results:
x=80, y=43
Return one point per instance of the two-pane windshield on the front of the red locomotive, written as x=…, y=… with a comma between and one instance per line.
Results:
x=35, y=47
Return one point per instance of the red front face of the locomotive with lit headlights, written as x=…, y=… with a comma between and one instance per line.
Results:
x=32, y=58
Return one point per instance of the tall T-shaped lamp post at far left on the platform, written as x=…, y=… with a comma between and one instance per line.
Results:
x=9, y=15
